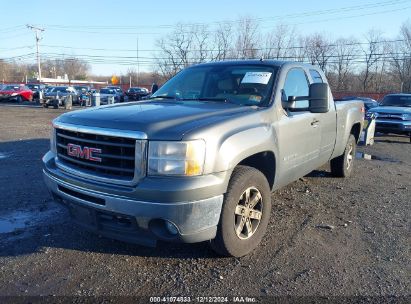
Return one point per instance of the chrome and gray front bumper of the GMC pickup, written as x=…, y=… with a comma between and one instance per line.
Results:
x=118, y=212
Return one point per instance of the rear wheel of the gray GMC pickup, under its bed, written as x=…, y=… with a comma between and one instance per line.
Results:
x=342, y=165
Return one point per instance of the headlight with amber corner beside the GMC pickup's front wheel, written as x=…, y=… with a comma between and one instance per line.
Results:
x=184, y=158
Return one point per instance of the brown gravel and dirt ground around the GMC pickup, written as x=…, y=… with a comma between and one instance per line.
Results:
x=365, y=253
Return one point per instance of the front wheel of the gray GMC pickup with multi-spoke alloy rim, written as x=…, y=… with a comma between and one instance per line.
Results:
x=235, y=236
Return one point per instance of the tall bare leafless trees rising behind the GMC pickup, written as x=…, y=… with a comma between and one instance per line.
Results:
x=373, y=64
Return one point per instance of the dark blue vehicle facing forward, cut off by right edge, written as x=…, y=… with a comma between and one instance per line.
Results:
x=393, y=115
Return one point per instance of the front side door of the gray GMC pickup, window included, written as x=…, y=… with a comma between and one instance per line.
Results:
x=299, y=132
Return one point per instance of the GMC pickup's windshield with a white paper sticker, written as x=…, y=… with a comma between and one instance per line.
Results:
x=239, y=84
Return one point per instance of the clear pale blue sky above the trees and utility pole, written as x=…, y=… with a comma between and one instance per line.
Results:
x=78, y=28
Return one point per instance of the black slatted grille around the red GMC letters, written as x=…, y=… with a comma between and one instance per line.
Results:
x=117, y=154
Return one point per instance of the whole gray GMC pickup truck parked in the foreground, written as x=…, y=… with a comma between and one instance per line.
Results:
x=199, y=160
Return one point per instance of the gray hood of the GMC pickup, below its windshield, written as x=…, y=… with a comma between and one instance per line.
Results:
x=162, y=120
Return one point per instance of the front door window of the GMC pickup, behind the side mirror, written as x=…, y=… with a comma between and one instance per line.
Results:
x=296, y=84
